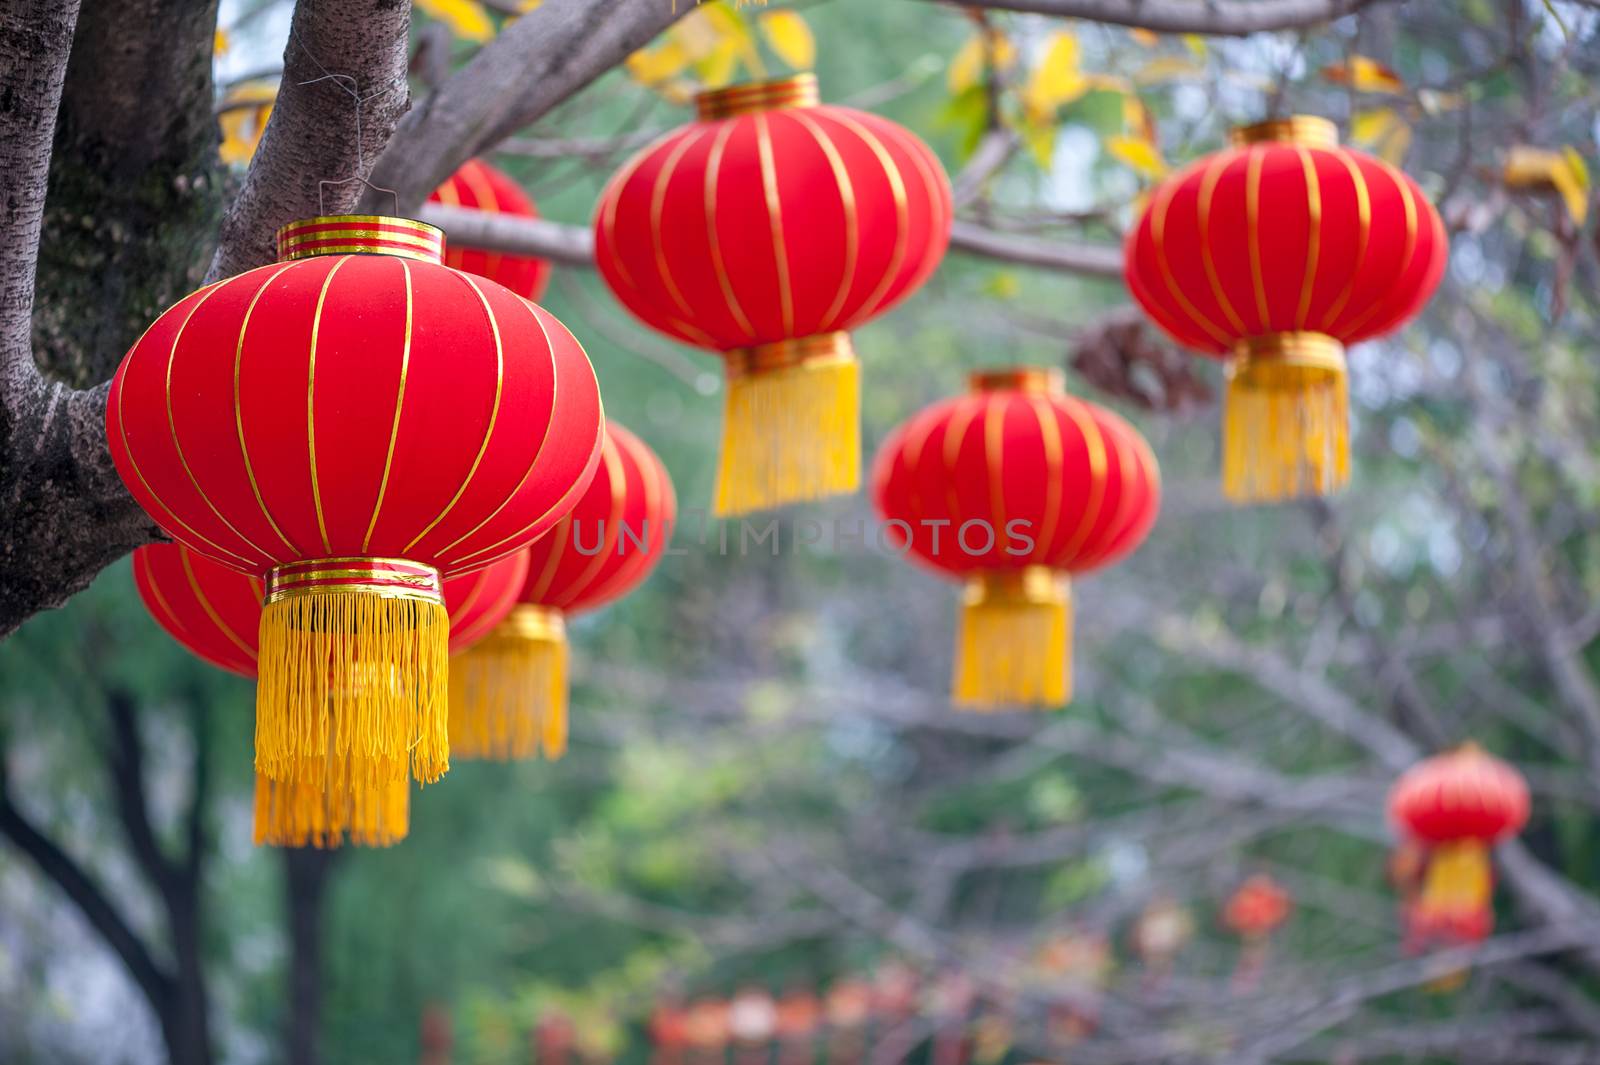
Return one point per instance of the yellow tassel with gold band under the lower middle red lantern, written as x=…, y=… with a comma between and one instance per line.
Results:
x=1015, y=642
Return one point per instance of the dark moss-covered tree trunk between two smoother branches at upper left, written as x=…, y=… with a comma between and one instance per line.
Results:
x=135, y=183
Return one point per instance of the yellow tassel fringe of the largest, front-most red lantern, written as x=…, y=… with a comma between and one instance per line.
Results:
x=353, y=690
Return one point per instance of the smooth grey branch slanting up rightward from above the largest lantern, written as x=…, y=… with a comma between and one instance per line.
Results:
x=534, y=65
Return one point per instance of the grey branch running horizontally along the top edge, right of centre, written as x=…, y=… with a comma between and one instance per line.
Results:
x=1220, y=18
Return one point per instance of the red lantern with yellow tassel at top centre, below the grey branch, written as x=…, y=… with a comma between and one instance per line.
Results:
x=767, y=231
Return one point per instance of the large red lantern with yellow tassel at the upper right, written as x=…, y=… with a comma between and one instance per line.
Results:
x=1276, y=255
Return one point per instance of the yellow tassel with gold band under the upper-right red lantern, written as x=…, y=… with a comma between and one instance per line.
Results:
x=1286, y=421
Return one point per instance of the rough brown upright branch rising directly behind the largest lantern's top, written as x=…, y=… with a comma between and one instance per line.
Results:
x=345, y=89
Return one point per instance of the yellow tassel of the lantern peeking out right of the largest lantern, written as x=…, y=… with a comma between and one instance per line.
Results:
x=508, y=693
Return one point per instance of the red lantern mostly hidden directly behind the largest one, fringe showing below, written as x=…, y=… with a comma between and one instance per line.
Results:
x=215, y=613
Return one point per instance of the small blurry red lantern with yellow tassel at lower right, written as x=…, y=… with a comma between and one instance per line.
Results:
x=1457, y=807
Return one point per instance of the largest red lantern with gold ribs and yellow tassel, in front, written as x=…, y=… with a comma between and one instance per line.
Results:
x=350, y=425
